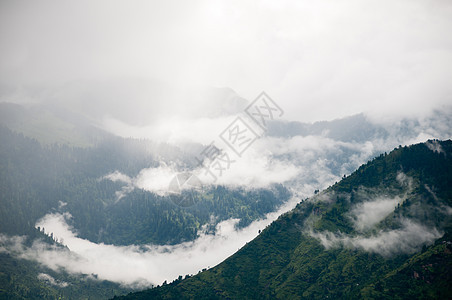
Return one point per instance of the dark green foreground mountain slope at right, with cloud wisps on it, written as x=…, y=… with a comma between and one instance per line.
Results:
x=384, y=232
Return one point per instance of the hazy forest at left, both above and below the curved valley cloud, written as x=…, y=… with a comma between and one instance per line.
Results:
x=37, y=178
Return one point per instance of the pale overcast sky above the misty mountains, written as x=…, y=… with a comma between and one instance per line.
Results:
x=319, y=60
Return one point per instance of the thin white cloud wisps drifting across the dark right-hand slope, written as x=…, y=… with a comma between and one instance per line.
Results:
x=373, y=206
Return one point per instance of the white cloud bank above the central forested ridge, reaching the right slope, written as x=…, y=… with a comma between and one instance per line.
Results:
x=305, y=162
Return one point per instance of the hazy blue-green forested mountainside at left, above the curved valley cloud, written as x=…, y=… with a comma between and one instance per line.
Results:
x=34, y=179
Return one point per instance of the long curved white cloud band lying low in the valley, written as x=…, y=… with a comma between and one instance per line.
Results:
x=138, y=266
